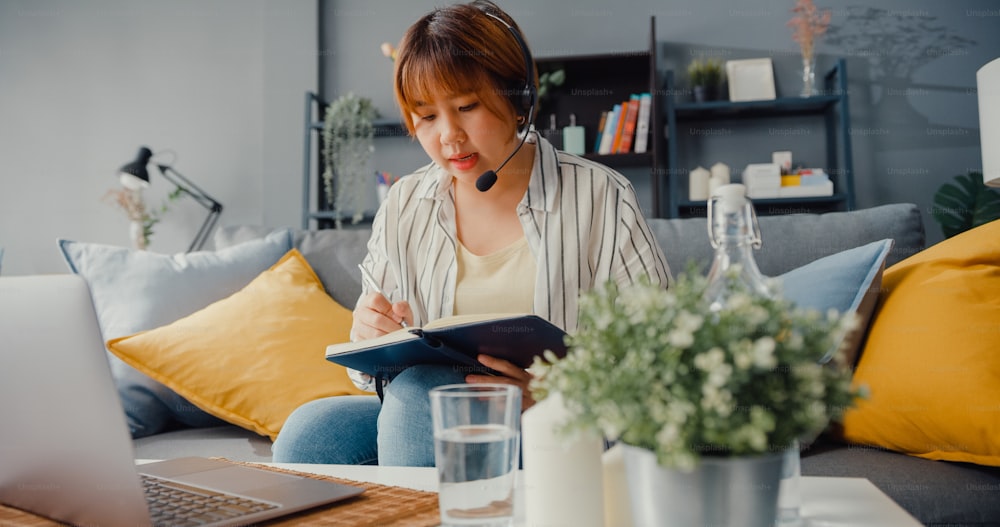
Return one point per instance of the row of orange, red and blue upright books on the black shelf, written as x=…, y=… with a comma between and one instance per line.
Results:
x=625, y=128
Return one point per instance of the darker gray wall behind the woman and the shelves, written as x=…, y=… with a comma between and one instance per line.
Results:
x=911, y=66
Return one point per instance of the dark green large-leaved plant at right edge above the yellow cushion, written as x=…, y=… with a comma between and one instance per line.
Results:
x=964, y=203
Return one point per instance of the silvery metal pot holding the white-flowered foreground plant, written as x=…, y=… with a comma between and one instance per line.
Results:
x=720, y=491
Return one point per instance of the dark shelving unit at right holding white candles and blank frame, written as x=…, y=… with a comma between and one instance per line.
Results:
x=832, y=107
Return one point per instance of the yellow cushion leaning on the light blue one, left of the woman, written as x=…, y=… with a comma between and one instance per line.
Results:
x=255, y=356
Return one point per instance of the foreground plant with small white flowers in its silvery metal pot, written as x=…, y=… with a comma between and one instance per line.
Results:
x=695, y=393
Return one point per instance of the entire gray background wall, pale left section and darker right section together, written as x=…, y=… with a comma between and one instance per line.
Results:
x=221, y=83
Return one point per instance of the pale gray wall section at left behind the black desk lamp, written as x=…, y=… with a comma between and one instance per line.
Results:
x=84, y=84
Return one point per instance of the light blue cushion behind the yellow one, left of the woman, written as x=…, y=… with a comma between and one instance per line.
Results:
x=135, y=291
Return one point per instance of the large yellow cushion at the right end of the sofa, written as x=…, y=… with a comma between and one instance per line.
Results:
x=932, y=358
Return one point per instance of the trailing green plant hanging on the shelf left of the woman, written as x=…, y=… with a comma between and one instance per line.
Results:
x=348, y=142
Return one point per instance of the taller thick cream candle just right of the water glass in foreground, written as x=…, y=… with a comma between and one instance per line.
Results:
x=563, y=478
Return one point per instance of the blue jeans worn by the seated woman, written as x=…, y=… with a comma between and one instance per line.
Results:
x=358, y=430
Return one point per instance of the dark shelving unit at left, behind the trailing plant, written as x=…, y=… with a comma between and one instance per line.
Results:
x=314, y=206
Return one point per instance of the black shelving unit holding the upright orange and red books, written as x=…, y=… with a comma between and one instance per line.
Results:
x=595, y=83
